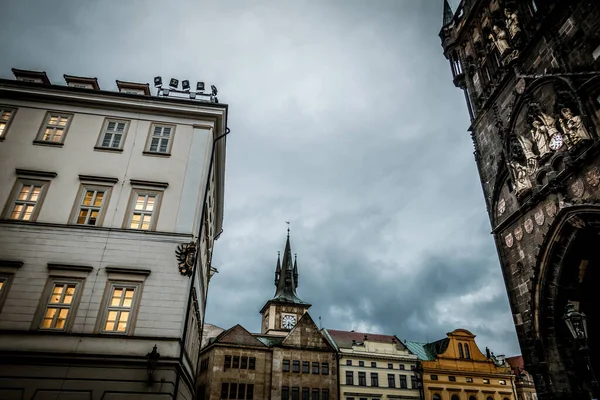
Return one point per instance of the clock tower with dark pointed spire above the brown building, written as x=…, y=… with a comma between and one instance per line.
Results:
x=281, y=313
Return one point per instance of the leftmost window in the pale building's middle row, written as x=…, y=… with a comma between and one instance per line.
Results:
x=26, y=200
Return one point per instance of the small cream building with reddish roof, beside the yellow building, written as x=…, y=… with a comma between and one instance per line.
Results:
x=374, y=366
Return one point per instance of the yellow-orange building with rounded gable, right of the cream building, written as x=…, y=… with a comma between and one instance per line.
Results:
x=455, y=369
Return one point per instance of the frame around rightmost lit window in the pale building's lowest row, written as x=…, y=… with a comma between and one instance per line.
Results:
x=108, y=307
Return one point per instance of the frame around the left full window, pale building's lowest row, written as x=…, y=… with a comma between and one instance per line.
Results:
x=47, y=303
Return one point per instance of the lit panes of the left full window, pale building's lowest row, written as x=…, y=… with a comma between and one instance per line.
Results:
x=58, y=305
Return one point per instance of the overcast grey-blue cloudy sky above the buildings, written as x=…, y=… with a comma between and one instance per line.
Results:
x=344, y=121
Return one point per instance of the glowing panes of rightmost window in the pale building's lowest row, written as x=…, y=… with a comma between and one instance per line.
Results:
x=120, y=305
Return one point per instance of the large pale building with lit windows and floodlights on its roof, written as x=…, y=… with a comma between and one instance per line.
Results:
x=98, y=192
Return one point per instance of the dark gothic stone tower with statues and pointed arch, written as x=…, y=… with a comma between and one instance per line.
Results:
x=530, y=72
